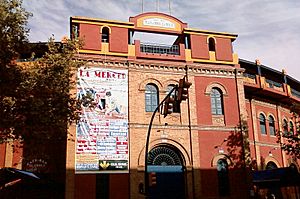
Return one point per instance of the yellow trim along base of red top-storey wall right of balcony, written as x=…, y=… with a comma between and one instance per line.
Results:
x=212, y=55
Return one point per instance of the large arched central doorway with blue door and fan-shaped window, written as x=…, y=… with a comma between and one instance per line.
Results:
x=168, y=164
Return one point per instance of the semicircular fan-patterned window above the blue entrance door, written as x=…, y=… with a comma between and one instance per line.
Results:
x=164, y=156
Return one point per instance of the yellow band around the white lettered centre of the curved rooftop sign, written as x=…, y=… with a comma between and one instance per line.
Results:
x=140, y=24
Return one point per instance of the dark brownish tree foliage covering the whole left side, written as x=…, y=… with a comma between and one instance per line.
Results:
x=36, y=99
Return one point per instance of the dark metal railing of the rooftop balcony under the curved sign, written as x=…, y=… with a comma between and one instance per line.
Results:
x=160, y=48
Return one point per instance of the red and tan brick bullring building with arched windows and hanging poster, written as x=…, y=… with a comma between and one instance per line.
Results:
x=219, y=143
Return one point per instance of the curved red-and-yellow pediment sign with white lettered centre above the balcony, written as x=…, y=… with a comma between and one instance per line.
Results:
x=158, y=22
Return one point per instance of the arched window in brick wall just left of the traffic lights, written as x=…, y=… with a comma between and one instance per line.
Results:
x=151, y=97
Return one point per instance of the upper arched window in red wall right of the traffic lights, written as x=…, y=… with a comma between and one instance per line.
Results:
x=216, y=101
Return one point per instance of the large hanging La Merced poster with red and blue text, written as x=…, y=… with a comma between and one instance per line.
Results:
x=102, y=132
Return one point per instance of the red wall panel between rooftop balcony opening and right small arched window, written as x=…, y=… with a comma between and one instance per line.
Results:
x=199, y=47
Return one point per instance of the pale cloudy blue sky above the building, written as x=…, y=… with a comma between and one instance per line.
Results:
x=268, y=29
